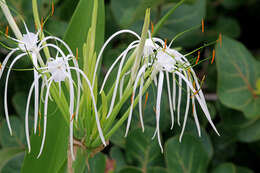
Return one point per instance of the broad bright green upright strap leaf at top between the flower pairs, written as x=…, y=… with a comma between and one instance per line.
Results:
x=77, y=32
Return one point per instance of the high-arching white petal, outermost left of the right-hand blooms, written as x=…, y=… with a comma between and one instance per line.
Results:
x=105, y=45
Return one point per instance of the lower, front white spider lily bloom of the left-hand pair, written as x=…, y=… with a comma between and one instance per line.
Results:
x=60, y=71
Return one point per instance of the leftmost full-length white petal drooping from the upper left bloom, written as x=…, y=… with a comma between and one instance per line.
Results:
x=5, y=93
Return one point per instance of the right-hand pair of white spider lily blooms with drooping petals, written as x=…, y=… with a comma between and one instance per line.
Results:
x=159, y=60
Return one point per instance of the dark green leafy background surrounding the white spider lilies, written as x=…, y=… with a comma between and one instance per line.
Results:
x=230, y=87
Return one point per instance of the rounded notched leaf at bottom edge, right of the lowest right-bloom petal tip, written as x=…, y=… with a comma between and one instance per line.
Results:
x=188, y=156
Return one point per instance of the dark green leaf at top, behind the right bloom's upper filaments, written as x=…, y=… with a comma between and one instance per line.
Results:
x=184, y=17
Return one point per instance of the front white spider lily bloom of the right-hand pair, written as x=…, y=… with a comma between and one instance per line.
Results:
x=169, y=61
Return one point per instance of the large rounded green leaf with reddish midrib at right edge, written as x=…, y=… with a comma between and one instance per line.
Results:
x=238, y=72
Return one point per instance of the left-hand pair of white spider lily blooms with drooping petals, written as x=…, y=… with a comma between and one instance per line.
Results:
x=51, y=72
